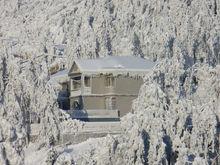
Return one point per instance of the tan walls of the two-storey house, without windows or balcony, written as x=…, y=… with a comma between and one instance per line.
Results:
x=125, y=90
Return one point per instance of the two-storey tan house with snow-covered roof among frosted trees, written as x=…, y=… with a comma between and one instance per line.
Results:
x=105, y=87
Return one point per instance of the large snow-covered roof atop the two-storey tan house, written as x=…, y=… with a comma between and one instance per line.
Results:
x=114, y=64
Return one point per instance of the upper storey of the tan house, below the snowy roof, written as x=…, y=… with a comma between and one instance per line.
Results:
x=104, y=85
